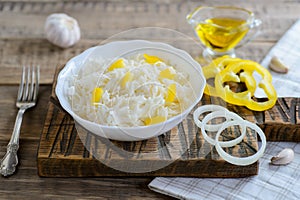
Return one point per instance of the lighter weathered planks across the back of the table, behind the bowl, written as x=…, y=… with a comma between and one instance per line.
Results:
x=23, y=40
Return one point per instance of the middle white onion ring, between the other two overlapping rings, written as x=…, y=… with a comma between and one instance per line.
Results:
x=237, y=120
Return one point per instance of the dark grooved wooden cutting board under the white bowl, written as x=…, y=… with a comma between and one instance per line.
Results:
x=66, y=150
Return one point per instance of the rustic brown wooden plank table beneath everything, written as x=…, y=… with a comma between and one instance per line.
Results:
x=22, y=41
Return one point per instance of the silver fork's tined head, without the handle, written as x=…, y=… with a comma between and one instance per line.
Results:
x=29, y=85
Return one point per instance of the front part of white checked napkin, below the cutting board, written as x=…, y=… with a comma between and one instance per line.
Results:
x=272, y=182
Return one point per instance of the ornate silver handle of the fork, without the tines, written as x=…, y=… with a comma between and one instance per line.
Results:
x=10, y=159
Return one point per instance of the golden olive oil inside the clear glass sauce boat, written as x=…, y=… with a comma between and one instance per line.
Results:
x=221, y=34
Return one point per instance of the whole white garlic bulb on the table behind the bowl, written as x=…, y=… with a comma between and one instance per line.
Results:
x=62, y=30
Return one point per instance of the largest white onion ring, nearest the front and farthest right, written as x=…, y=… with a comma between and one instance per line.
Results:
x=244, y=160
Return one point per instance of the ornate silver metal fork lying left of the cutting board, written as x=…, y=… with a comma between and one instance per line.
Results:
x=27, y=97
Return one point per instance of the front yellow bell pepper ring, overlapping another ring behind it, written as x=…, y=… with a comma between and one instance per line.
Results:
x=245, y=98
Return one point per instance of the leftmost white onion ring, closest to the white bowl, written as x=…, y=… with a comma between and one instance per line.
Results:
x=208, y=108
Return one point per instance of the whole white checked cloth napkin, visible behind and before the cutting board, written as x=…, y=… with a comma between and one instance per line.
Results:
x=272, y=182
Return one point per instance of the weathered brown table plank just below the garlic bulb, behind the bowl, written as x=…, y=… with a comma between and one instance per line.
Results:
x=38, y=51
